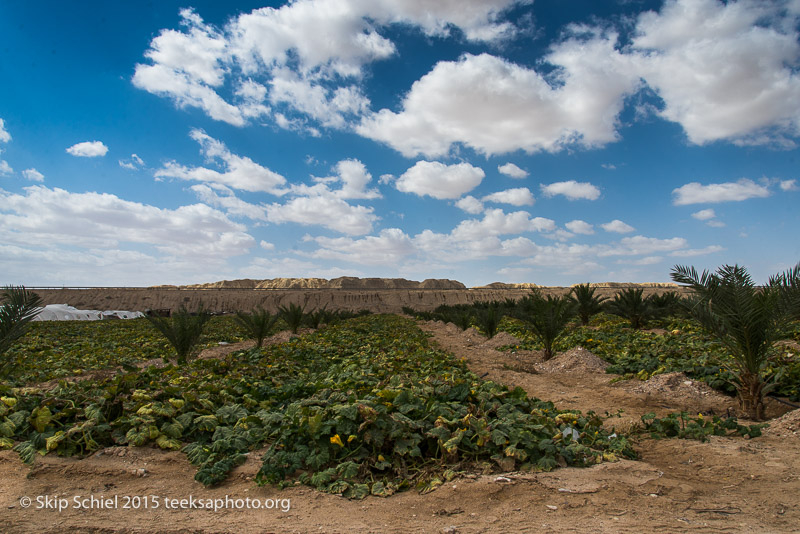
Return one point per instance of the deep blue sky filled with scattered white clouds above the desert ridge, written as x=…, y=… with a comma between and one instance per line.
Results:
x=495, y=140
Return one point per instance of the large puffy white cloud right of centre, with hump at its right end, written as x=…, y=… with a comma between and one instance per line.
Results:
x=495, y=106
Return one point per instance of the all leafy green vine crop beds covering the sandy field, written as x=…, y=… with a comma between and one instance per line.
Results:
x=366, y=406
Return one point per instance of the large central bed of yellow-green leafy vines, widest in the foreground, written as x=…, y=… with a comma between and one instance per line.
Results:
x=367, y=406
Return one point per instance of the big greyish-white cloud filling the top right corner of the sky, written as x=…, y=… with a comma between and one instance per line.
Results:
x=724, y=70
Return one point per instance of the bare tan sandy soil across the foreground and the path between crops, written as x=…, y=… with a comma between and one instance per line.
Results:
x=723, y=485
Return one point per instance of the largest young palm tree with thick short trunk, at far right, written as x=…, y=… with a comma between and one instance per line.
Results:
x=745, y=318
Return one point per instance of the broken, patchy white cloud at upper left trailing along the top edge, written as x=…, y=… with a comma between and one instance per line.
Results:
x=283, y=55
